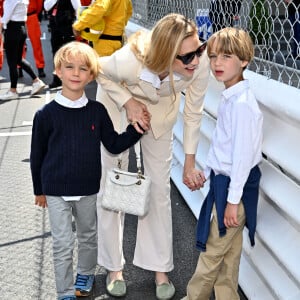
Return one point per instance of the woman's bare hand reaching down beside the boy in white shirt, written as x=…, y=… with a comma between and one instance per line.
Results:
x=194, y=179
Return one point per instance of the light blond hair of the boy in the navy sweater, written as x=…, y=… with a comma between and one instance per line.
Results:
x=79, y=50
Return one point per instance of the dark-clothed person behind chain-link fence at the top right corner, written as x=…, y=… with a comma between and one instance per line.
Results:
x=294, y=17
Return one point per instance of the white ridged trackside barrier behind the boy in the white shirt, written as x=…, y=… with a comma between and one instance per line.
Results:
x=270, y=270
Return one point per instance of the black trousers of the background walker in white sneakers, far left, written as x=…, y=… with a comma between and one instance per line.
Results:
x=14, y=40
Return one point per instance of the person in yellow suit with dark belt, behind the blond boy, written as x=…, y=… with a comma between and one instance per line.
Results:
x=115, y=14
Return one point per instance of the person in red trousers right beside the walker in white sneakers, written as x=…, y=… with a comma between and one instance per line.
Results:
x=34, y=33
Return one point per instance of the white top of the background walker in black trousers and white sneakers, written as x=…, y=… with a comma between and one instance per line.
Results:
x=14, y=10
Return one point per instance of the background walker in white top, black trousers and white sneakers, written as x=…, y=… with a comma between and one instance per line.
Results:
x=13, y=24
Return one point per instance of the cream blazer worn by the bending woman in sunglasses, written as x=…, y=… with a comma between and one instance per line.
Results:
x=119, y=80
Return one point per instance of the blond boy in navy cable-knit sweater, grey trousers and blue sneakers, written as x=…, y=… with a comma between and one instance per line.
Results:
x=65, y=164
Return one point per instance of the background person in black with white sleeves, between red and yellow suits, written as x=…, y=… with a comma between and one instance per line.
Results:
x=62, y=14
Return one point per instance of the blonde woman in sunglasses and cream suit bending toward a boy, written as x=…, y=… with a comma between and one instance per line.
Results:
x=148, y=74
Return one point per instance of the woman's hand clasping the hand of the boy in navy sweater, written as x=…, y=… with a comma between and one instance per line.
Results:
x=138, y=115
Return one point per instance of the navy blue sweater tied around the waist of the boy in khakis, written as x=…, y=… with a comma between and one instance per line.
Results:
x=218, y=192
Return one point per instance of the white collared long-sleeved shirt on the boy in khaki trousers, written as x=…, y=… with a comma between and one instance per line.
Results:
x=237, y=140
